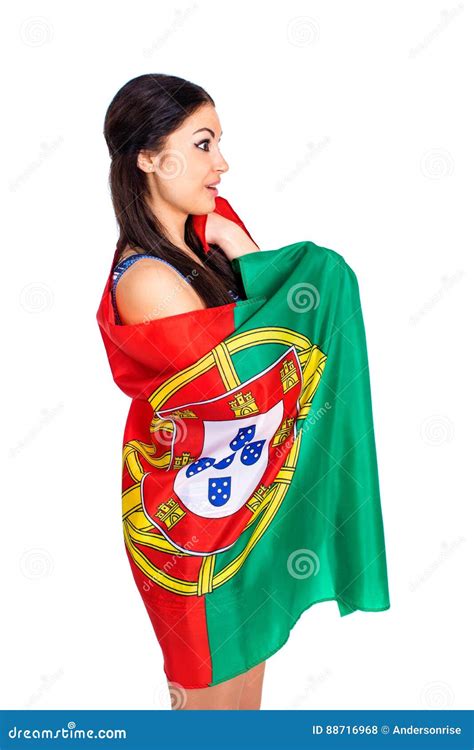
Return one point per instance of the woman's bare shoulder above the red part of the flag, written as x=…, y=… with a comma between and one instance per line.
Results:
x=150, y=289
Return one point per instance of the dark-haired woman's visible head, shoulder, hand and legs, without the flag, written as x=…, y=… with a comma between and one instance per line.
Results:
x=163, y=136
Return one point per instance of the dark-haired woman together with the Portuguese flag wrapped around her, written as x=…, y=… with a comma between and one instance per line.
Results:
x=249, y=377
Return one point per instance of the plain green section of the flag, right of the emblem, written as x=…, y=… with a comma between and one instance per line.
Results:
x=326, y=540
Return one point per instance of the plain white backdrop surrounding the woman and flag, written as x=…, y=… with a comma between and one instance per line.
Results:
x=344, y=123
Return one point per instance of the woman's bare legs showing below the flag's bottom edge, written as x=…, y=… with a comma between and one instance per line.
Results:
x=224, y=696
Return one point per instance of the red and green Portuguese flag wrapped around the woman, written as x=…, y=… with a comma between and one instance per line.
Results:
x=250, y=486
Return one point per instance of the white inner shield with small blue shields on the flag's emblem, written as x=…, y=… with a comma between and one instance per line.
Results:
x=228, y=470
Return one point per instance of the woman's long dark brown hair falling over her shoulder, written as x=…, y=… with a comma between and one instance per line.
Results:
x=142, y=114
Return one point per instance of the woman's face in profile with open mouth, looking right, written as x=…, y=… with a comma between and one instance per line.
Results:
x=189, y=162
